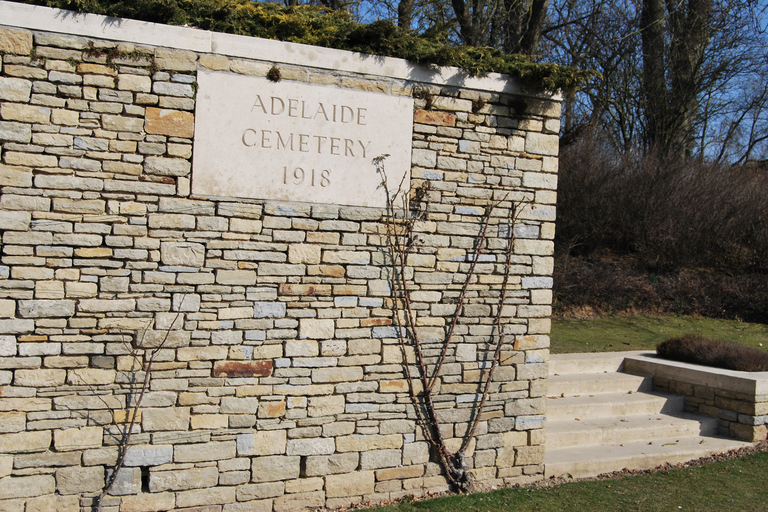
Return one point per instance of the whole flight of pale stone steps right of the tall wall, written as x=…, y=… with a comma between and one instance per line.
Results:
x=601, y=420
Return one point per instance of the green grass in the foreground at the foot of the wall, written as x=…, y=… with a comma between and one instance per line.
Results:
x=734, y=485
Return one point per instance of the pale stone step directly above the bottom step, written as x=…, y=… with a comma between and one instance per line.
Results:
x=588, y=431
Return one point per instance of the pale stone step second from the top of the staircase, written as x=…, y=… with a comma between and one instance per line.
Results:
x=590, y=384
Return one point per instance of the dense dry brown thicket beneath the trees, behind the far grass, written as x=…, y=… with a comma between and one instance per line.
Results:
x=640, y=235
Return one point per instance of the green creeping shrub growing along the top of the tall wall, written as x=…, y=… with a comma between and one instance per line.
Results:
x=319, y=26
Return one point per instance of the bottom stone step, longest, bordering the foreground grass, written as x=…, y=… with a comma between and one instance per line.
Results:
x=586, y=461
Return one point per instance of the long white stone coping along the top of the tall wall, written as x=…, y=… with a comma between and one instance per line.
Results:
x=46, y=19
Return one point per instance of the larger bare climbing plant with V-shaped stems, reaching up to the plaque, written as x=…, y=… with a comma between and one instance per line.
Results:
x=423, y=372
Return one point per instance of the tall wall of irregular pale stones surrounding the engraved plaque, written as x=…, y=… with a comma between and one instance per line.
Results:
x=280, y=382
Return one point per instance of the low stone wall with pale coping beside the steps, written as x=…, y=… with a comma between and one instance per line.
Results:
x=738, y=399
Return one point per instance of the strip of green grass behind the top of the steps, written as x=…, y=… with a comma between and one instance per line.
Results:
x=643, y=333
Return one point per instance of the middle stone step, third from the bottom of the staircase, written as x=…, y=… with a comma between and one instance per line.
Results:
x=610, y=405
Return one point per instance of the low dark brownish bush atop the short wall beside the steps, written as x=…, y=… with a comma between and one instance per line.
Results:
x=696, y=349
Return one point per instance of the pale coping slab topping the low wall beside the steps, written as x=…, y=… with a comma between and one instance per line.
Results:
x=752, y=383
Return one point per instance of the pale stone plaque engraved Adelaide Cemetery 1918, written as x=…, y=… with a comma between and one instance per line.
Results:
x=291, y=141
